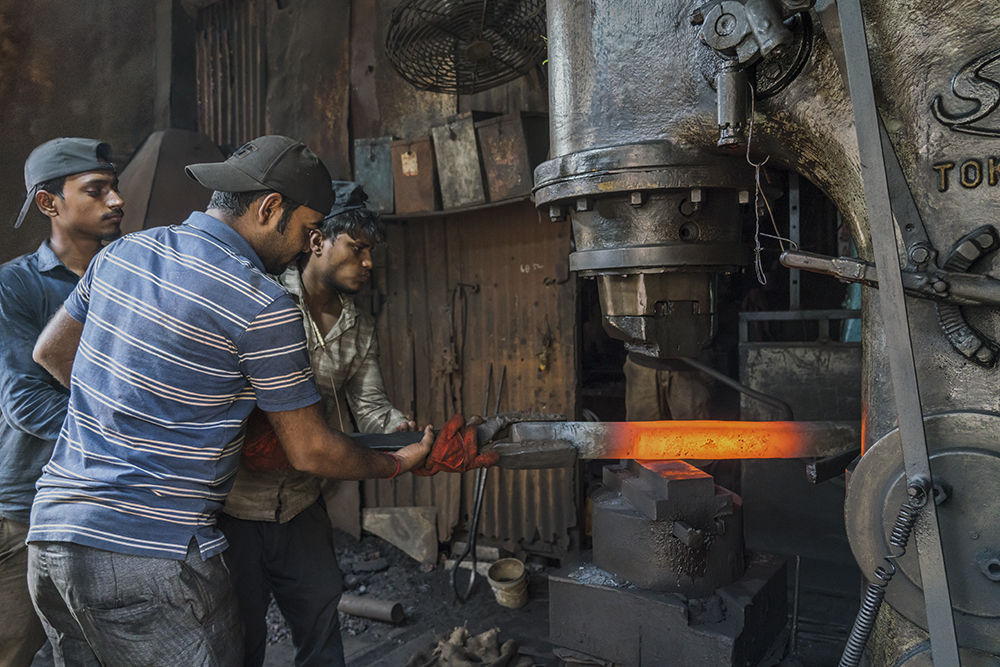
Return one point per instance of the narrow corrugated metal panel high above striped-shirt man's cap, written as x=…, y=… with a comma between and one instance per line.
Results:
x=231, y=68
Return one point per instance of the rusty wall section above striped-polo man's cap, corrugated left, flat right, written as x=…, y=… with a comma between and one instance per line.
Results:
x=268, y=68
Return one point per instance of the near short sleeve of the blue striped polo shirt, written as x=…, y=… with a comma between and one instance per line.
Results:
x=274, y=358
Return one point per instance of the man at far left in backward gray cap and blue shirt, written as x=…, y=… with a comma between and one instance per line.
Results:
x=72, y=183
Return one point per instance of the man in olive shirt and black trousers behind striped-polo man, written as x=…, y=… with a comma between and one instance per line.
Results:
x=280, y=537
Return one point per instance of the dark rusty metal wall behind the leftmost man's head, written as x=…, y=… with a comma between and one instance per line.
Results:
x=66, y=70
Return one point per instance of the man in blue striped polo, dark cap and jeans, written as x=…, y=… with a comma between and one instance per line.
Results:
x=169, y=340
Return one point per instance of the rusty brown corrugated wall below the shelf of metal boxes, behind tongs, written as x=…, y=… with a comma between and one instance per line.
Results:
x=462, y=291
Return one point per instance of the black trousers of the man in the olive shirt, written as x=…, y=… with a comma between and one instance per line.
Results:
x=296, y=562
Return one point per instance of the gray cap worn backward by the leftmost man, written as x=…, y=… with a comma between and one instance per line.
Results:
x=66, y=156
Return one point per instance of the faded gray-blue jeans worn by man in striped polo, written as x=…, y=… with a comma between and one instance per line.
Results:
x=101, y=608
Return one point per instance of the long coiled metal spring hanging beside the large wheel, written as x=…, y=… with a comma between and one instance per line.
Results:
x=875, y=591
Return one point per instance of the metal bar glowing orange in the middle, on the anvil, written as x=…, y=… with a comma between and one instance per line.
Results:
x=550, y=444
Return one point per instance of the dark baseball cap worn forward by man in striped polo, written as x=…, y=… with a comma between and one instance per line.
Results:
x=274, y=163
